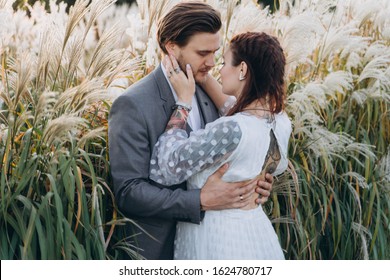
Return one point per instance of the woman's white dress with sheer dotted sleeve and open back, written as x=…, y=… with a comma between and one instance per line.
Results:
x=241, y=140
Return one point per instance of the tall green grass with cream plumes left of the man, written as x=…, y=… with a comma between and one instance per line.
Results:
x=55, y=198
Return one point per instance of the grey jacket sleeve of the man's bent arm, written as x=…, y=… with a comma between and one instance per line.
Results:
x=130, y=151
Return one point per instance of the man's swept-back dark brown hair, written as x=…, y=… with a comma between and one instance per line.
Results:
x=186, y=20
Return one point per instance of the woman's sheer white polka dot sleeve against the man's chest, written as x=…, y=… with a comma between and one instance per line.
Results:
x=176, y=156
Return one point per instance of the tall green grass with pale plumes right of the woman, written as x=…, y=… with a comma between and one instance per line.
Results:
x=340, y=209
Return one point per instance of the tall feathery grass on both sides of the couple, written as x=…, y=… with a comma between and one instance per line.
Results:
x=55, y=196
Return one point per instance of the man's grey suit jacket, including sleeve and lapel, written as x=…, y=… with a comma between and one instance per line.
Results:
x=137, y=118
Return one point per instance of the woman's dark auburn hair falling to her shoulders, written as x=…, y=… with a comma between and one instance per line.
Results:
x=266, y=69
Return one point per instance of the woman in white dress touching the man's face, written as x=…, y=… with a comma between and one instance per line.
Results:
x=252, y=138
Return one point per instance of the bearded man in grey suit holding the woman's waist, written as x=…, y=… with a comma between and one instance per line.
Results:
x=138, y=117
